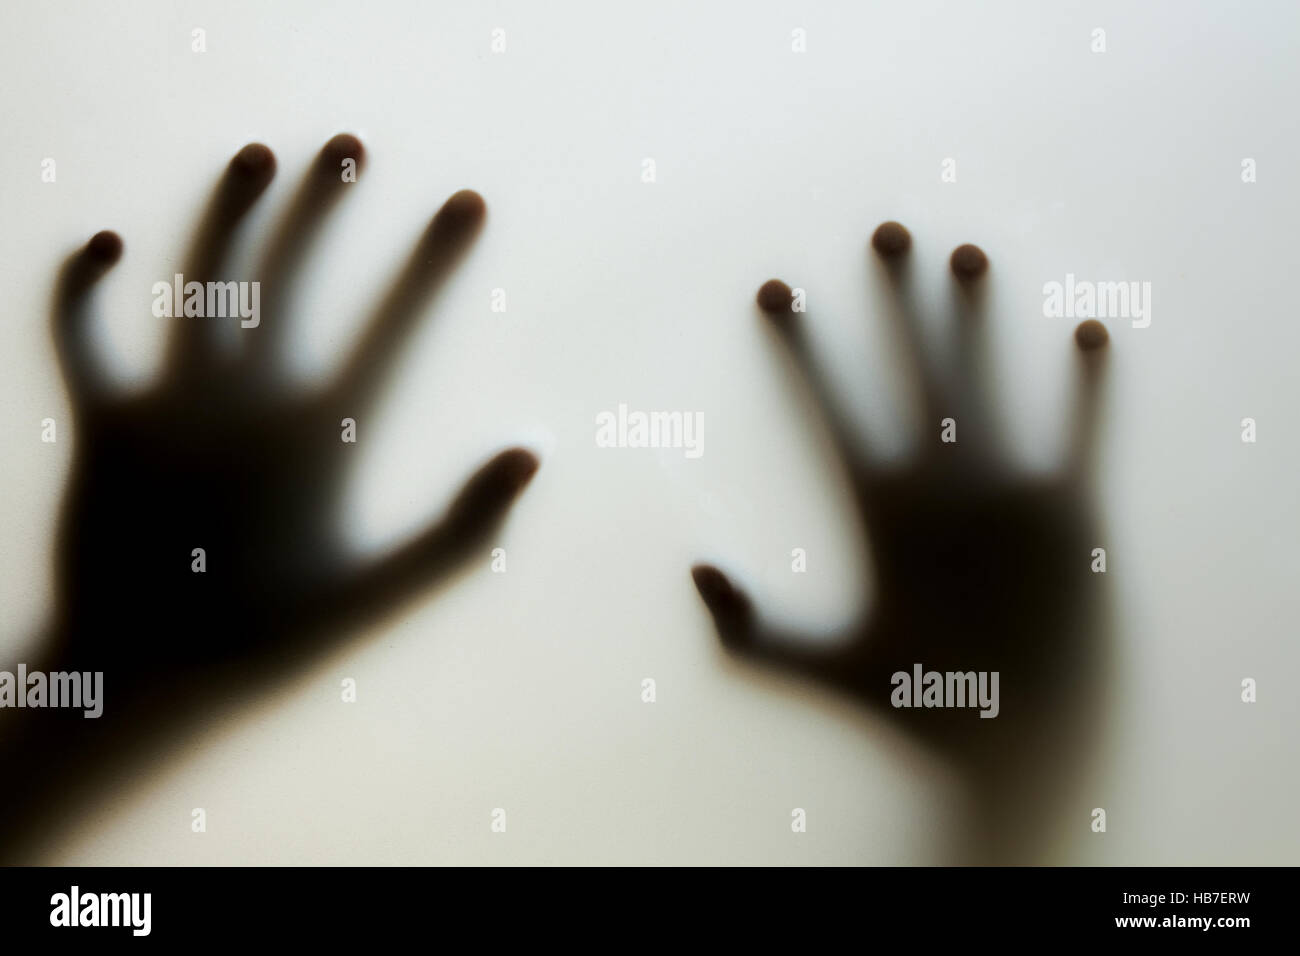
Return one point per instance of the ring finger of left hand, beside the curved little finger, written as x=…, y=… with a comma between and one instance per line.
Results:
x=194, y=340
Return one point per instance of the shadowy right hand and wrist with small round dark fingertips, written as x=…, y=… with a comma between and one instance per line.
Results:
x=978, y=566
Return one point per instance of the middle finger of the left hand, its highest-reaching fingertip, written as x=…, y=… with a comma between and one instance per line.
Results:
x=335, y=170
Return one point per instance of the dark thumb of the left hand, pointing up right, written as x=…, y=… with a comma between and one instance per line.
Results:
x=476, y=513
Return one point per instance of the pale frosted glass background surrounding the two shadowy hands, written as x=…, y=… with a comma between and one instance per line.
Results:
x=522, y=691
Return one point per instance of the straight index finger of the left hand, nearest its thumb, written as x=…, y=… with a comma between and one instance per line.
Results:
x=441, y=248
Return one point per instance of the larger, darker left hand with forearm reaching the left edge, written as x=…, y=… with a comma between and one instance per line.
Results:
x=222, y=456
